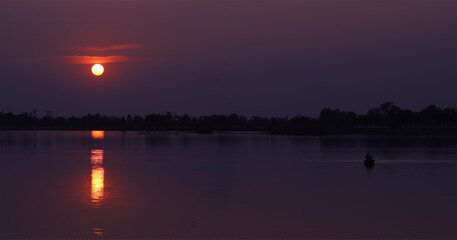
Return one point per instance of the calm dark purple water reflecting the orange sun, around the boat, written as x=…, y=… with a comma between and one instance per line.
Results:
x=133, y=185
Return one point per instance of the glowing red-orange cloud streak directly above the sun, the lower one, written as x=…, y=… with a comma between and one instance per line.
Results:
x=95, y=59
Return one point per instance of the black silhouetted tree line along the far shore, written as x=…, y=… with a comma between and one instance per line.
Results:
x=385, y=118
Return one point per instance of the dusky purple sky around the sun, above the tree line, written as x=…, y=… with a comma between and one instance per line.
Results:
x=267, y=58
